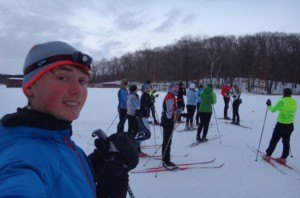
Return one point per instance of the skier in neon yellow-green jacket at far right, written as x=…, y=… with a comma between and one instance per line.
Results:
x=287, y=107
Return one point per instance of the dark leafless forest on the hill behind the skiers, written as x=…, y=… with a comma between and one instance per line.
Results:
x=266, y=55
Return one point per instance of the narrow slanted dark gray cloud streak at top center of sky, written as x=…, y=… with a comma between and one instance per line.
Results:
x=171, y=18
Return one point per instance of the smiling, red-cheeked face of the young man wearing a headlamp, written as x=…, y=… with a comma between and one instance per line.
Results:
x=61, y=92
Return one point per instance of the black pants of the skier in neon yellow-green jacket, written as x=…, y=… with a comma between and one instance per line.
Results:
x=283, y=131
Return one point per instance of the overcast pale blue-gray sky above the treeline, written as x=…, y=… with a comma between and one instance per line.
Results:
x=108, y=28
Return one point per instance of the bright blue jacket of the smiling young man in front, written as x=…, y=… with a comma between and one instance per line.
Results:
x=37, y=162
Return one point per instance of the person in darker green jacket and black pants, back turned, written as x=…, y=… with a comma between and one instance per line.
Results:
x=208, y=99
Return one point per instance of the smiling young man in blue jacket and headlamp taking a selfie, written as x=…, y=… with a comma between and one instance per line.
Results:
x=37, y=155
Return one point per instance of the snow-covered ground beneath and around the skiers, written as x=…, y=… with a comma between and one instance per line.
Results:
x=241, y=176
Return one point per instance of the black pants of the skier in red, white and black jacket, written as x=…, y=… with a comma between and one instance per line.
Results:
x=168, y=127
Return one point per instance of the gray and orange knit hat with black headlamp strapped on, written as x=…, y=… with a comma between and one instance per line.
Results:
x=44, y=57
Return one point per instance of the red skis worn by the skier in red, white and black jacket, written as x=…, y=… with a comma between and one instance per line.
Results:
x=182, y=166
